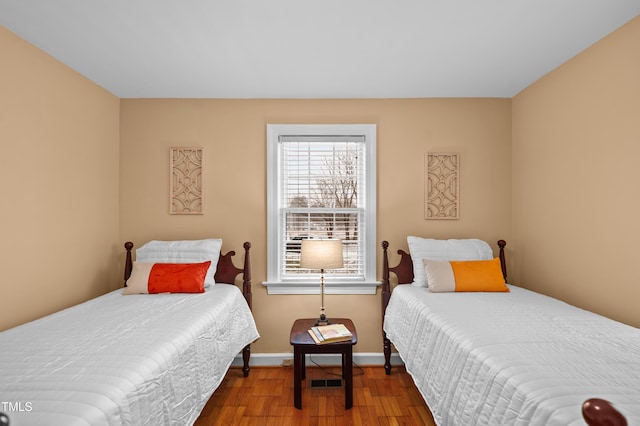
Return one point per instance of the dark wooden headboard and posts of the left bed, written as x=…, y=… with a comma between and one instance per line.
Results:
x=226, y=272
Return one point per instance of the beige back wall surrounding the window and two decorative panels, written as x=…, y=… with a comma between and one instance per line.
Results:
x=232, y=133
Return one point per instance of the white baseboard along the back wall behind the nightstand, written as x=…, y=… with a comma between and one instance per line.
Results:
x=279, y=359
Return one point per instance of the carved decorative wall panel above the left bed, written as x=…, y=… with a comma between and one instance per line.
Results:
x=185, y=195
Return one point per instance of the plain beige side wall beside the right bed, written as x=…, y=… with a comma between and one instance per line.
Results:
x=576, y=180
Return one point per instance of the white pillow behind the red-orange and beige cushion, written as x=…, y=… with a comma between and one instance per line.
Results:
x=183, y=251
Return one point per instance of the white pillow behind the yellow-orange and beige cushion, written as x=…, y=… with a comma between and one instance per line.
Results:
x=427, y=248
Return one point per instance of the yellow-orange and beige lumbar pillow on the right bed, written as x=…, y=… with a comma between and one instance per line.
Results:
x=468, y=275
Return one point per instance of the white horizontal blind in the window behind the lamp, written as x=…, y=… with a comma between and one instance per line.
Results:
x=322, y=197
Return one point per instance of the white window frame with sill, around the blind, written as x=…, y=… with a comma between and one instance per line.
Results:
x=275, y=283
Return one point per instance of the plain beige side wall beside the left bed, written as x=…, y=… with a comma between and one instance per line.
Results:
x=59, y=218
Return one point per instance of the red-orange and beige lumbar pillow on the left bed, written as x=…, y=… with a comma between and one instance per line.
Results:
x=149, y=278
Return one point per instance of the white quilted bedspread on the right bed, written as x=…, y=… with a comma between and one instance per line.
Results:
x=517, y=358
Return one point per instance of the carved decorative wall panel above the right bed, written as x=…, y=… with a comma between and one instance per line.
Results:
x=441, y=186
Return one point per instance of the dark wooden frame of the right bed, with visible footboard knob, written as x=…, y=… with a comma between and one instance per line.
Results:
x=596, y=412
